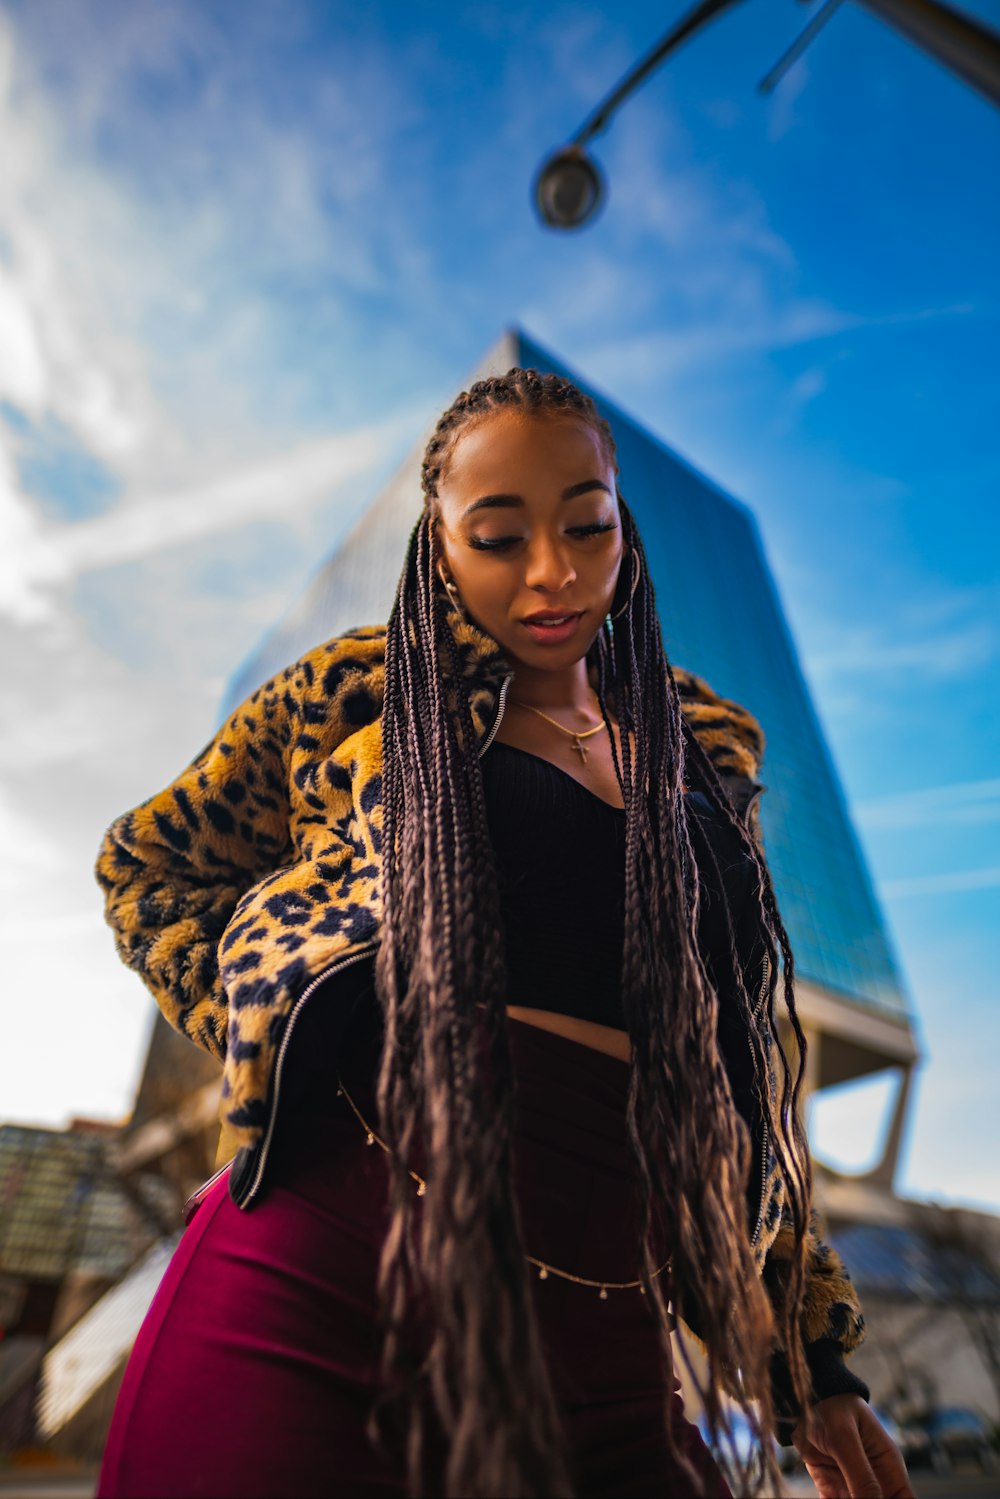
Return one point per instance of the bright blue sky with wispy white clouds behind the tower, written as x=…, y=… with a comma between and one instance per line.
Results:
x=250, y=251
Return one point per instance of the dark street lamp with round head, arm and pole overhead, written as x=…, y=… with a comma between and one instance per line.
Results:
x=569, y=188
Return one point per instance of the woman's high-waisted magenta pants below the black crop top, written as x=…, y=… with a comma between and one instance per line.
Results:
x=257, y=1363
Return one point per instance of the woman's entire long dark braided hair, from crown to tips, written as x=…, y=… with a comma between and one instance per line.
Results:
x=454, y=1273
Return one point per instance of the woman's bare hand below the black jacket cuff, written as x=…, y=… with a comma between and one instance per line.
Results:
x=849, y=1455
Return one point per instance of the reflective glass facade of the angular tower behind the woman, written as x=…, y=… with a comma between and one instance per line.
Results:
x=722, y=618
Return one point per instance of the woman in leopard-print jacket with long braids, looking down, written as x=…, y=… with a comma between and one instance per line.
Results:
x=482, y=890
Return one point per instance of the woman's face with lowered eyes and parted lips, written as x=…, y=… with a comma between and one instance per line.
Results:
x=530, y=522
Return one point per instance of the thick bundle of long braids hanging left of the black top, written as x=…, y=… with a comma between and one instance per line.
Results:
x=442, y=953
